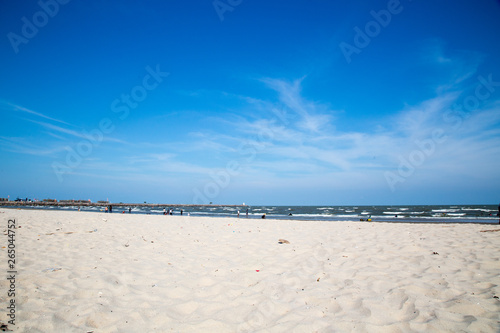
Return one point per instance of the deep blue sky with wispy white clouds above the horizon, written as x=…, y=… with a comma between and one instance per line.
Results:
x=299, y=102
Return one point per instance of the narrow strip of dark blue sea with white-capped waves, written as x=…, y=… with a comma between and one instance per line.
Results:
x=410, y=213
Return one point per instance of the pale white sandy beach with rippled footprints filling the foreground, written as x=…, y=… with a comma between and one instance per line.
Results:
x=144, y=273
